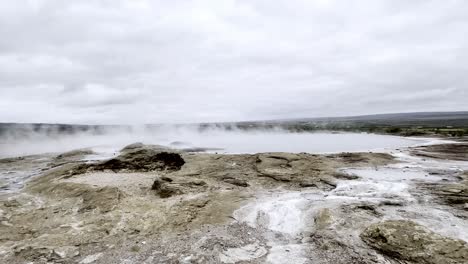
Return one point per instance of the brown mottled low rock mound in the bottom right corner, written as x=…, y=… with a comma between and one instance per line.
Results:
x=406, y=240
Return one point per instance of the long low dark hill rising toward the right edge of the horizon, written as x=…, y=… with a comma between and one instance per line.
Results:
x=405, y=124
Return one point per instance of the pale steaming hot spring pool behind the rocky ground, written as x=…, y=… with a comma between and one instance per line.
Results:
x=220, y=141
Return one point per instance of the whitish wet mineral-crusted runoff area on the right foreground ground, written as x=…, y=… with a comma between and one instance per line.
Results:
x=383, y=192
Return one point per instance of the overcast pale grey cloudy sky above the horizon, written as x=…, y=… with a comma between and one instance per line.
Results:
x=142, y=61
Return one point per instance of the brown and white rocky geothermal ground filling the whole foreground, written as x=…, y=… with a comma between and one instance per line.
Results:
x=151, y=204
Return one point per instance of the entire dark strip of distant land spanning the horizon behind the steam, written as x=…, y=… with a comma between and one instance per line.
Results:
x=370, y=123
